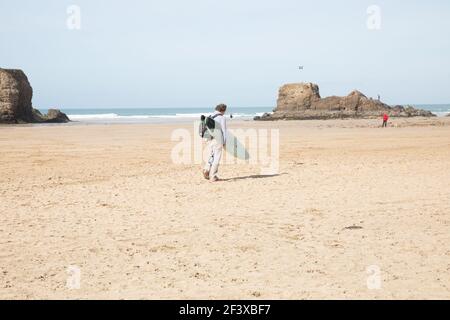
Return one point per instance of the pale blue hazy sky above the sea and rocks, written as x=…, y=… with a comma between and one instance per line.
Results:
x=198, y=53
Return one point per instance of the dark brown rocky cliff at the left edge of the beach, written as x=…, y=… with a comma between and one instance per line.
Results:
x=15, y=101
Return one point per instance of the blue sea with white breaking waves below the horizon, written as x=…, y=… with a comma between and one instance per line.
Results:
x=171, y=115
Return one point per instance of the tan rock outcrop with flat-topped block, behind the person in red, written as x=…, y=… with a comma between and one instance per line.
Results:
x=302, y=101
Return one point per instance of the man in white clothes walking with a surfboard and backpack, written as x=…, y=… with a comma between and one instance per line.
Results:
x=216, y=144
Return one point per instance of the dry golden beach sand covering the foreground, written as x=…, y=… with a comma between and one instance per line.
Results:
x=108, y=199
